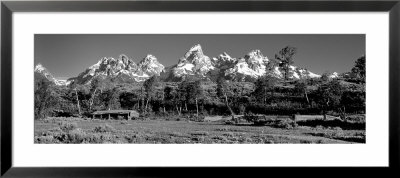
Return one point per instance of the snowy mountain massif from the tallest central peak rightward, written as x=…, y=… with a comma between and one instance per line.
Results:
x=253, y=65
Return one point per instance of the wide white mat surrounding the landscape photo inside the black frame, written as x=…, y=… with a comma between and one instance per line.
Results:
x=374, y=153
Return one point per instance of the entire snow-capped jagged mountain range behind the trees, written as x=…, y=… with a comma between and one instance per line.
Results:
x=193, y=63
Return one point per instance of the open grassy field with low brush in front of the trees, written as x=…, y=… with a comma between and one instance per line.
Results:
x=78, y=130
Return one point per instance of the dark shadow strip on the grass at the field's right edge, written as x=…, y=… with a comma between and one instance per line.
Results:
x=345, y=125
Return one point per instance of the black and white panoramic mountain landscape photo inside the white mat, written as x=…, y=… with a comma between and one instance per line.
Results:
x=199, y=89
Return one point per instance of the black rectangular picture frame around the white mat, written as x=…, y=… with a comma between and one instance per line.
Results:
x=8, y=7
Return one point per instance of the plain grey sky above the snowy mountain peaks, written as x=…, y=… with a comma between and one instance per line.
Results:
x=66, y=56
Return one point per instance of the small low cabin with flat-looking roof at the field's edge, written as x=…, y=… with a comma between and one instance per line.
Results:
x=115, y=114
